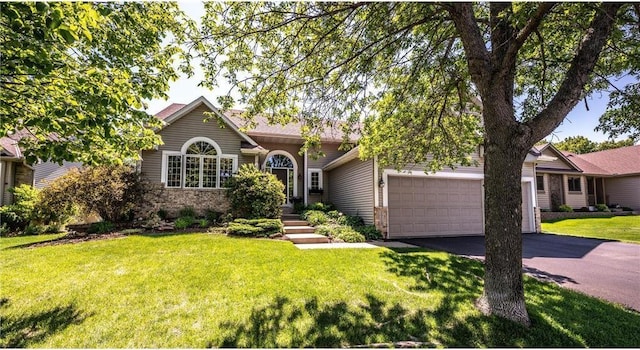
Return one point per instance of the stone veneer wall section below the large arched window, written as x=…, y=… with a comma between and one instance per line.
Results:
x=174, y=199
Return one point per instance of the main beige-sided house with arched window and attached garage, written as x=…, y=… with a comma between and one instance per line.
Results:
x=197, y=157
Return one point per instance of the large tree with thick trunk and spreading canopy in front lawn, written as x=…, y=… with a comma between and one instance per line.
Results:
x=430, y=79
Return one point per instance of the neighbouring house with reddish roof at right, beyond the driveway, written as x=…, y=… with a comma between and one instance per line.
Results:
x=609, y=177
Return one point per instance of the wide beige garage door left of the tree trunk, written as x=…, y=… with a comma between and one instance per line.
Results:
x=421, y=207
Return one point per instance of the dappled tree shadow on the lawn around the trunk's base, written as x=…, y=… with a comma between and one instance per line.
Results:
x=560, y=318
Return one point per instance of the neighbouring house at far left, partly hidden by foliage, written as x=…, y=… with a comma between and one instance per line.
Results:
x=14, y=171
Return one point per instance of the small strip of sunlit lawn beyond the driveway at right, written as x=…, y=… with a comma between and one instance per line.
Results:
x=619, y=228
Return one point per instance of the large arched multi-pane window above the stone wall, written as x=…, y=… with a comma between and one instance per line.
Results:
x=199, y=164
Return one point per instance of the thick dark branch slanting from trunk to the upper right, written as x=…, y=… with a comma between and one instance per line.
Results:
x=582, y=66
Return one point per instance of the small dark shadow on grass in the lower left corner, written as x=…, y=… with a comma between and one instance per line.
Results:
x=26, y=330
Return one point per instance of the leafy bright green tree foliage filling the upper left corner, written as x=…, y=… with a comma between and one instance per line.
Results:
x=74, y=76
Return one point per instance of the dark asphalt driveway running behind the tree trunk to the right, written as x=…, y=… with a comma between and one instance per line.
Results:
x=606, y=269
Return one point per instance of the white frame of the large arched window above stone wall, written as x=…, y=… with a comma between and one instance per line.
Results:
x=183, y=154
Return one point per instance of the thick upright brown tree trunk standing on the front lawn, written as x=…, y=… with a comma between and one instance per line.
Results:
x=503, y=286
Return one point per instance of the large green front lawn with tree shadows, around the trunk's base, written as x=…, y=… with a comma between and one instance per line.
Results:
x=200, y=290
